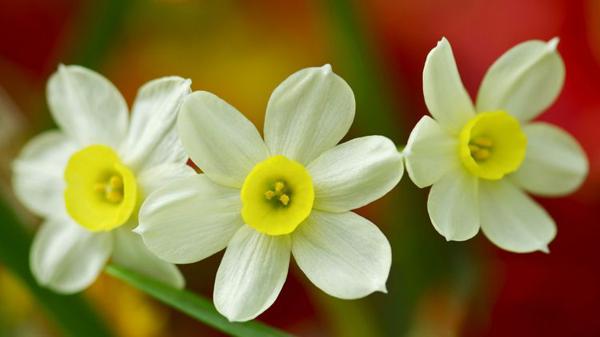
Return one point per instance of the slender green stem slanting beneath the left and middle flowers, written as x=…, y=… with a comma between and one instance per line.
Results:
x=193, y=305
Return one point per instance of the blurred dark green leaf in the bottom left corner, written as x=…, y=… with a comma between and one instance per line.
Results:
x=72, y=314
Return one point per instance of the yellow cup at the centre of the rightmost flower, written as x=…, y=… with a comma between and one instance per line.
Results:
x=492, y=145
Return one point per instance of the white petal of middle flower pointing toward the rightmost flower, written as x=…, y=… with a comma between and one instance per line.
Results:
x=355, y=173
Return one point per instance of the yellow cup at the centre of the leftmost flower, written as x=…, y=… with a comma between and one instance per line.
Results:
x=101, y=193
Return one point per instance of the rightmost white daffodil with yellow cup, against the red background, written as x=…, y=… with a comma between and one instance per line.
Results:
x=480, y=158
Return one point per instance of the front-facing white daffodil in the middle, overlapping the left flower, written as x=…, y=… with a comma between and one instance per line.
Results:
x=265, y=200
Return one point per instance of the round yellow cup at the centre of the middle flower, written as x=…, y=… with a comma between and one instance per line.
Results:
x=277, y=196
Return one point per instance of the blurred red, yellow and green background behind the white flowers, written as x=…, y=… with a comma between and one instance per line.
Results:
x=241, y=50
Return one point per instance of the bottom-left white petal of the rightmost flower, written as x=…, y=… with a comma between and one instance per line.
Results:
x=453, y=205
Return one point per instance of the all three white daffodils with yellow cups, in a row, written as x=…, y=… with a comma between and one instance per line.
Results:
x=111, y=185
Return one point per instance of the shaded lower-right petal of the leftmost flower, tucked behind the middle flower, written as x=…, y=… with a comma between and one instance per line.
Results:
x=130, y=252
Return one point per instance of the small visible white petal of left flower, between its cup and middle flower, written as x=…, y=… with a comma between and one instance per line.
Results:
x=157, y=176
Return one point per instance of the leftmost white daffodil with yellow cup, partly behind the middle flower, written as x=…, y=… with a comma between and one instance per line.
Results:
x=88, y=179
